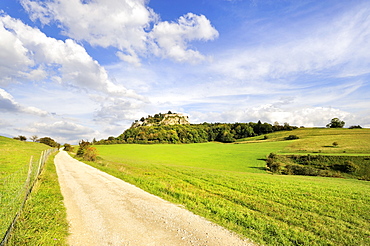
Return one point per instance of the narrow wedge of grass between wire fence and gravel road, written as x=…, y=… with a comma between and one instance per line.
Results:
x=43, y=220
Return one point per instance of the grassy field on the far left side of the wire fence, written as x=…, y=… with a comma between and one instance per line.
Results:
x=20, y=163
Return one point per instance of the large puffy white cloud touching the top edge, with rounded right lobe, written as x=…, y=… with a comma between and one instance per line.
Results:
x=125, y=25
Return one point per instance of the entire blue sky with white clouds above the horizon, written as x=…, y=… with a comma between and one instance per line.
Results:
x=73, y=69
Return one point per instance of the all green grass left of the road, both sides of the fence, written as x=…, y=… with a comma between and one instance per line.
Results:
x=43, y=218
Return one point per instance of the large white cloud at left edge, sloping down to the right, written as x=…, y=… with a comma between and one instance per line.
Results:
x=39, y=56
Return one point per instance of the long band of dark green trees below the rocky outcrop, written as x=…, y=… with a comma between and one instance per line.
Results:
x=195, y=133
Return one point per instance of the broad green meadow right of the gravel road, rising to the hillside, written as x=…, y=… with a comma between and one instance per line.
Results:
x=228, y=184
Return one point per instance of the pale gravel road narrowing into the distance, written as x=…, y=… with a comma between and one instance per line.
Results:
x=104, y=210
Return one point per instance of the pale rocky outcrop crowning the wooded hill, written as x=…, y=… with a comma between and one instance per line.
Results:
x=162, y=119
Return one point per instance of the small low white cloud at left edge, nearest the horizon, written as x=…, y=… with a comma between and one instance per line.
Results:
x=9, y=105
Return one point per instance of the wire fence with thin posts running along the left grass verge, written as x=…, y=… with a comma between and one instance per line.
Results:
x=14, y=191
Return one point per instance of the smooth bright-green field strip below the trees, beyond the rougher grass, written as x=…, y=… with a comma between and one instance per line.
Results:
x=231, y=157
